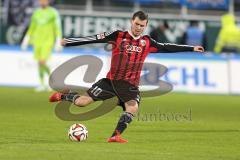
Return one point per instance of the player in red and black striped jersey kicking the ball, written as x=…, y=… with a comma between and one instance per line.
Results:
x=128, y=55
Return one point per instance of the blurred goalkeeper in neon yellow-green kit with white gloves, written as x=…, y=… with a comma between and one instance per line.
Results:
x=44, y=31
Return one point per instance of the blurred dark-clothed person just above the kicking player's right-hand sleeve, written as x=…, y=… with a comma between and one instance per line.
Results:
x=162, y=33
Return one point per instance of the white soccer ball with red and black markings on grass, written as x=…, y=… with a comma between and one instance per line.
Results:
x=78, y=132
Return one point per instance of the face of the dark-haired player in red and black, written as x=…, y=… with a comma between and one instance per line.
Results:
x=138, y=26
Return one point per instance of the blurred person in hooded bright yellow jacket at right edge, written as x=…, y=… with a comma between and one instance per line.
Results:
x=229, y=36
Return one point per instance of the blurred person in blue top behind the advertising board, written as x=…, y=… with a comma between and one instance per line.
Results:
x=194, y=35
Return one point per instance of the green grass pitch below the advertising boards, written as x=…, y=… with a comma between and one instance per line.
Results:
x=205, y=127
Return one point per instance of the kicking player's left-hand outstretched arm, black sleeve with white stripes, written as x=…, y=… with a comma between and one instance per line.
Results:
x=99, y=38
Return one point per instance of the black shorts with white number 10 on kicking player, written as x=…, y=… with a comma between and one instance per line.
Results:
x=106, y=89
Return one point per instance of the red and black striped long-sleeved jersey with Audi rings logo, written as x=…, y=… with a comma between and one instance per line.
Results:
x=128, y=52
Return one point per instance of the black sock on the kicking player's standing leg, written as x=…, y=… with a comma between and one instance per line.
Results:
x=123, y=122
